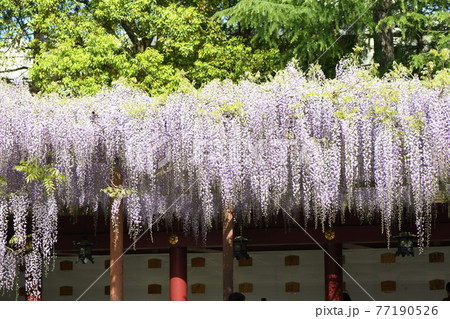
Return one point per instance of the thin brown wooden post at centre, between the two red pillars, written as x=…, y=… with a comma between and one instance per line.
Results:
x=227, y=251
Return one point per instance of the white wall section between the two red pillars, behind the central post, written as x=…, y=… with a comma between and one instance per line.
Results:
x=267, y=274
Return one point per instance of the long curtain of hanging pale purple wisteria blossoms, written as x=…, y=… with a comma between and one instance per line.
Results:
x=378, y=148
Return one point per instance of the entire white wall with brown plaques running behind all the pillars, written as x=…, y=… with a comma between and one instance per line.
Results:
x=268, y=275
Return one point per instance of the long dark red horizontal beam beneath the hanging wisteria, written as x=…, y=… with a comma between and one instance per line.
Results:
x=73, y=228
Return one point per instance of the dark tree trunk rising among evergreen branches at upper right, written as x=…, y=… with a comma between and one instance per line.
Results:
x=384, y=38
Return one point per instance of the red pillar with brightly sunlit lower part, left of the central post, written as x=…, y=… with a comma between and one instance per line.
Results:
x=178, y=273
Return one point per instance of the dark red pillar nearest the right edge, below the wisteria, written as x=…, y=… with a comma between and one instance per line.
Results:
x=333, y=272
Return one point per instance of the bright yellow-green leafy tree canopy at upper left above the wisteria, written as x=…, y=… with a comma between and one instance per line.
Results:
x=79, y=46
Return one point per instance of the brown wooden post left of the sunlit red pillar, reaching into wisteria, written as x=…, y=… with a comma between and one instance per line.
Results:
x=116, y=247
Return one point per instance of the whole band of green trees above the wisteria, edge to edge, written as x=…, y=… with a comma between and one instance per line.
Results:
x=161, y=45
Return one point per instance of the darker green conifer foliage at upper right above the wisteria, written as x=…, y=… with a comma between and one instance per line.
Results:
x=327, y=30
